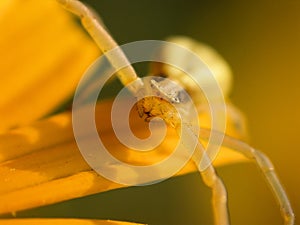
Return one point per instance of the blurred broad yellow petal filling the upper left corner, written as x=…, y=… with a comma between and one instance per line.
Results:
x=41, y=59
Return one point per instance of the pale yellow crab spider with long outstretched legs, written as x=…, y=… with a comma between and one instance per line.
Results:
x=160, y=105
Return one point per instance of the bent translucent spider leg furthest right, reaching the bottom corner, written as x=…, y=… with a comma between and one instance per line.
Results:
x=267, y=168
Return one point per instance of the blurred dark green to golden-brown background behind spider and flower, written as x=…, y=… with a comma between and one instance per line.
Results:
x=260, y=41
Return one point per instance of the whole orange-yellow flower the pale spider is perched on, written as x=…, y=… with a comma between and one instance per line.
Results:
x=43, y=55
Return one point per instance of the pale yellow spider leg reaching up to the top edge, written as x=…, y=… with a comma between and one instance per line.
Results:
x=103, y=39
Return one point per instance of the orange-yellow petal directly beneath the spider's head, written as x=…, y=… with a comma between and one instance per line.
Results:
x=41, y=163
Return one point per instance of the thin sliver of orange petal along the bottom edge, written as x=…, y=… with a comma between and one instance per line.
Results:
x=62, y=222
